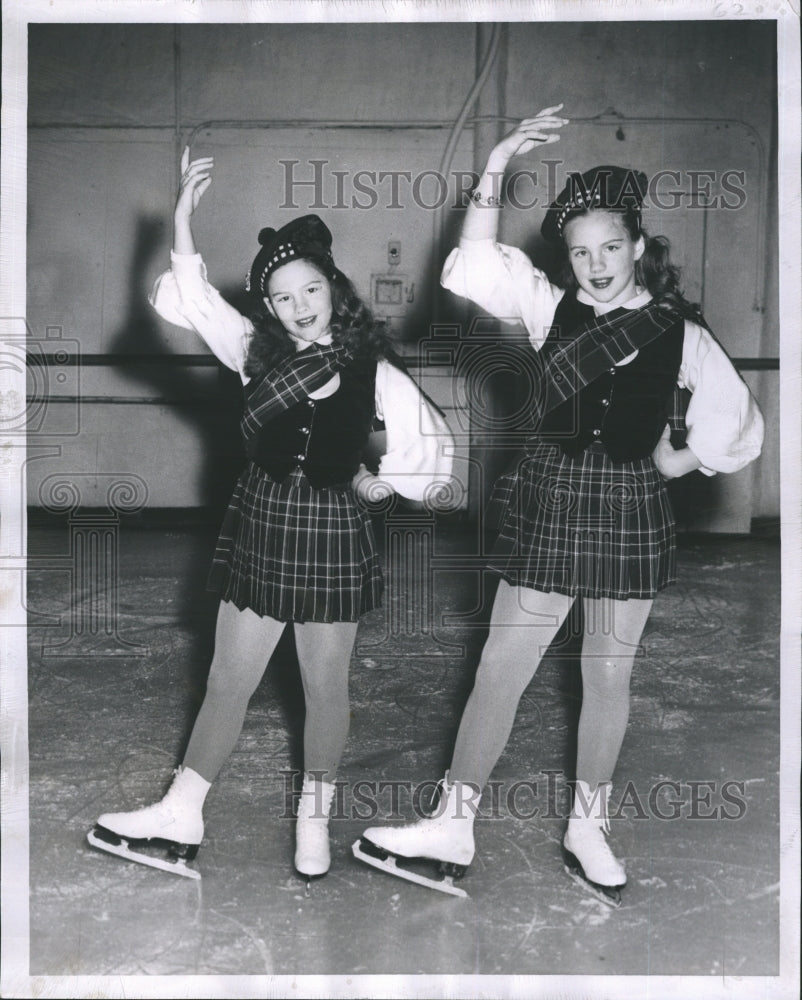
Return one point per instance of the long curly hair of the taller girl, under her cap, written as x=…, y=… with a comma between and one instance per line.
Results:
x=653, y=270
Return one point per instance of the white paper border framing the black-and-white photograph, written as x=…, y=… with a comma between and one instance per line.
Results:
x=16, y=981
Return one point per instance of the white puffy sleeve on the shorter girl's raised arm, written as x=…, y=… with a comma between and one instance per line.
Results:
x=183, y=296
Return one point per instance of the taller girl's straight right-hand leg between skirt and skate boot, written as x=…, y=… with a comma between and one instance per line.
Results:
x=612, y=633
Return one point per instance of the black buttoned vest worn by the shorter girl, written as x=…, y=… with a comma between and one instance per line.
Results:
x=325, y=437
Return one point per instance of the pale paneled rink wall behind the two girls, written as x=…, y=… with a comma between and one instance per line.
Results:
x=110, y=107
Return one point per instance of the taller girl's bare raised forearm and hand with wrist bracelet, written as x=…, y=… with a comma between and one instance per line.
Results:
x=481, y=217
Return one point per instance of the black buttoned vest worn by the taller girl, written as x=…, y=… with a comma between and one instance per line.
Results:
x=628, y=407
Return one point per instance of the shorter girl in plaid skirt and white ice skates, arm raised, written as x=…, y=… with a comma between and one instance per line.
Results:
x=296, y=545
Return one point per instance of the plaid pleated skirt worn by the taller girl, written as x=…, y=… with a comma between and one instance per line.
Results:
x=584, y=526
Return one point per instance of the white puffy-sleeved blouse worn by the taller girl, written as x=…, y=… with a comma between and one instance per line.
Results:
x=725, y=425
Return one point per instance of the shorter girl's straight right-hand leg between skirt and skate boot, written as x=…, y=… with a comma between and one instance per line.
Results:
x=324, y=654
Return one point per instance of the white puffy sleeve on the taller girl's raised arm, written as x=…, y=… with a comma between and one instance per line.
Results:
x=503, y=281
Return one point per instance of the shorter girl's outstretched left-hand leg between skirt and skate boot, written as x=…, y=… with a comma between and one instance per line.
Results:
x=244, y=643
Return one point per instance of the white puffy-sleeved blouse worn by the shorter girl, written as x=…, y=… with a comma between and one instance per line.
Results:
x=420, y=447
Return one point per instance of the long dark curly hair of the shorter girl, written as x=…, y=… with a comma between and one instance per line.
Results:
x=352, y=324
